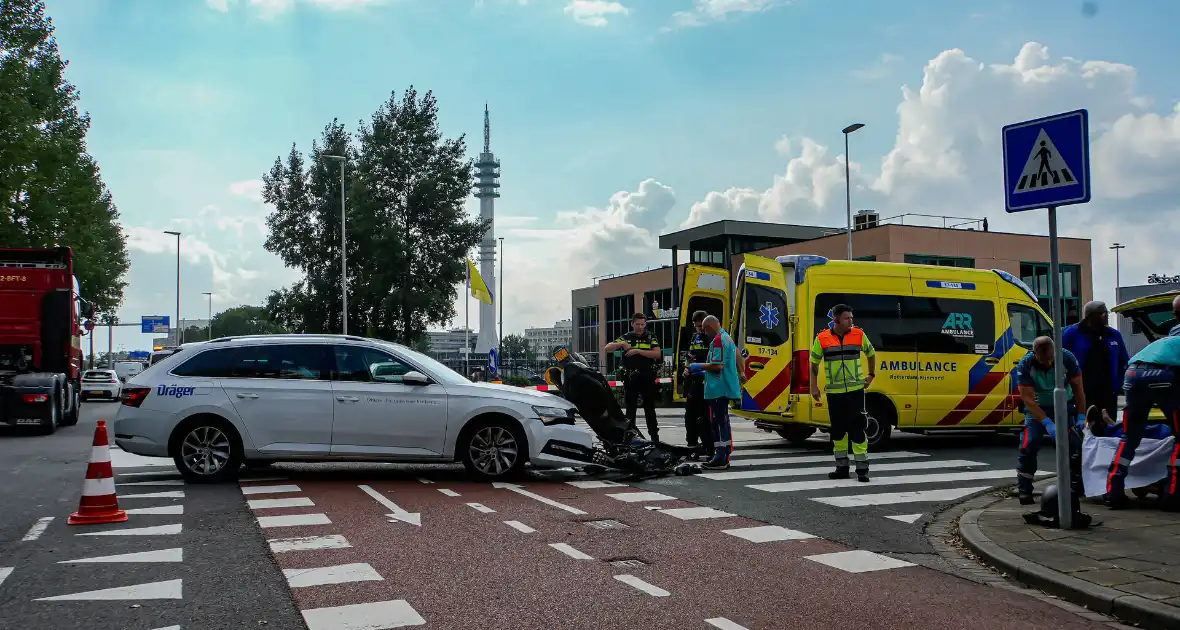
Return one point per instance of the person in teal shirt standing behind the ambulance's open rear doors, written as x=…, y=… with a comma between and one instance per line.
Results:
x=722, y=385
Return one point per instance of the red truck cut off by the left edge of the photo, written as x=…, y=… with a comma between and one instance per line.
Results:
x=42, y=323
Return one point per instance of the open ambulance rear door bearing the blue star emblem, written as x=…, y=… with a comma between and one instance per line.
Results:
x=763, y=334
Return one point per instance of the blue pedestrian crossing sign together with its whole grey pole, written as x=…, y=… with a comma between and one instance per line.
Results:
x=1047, y=165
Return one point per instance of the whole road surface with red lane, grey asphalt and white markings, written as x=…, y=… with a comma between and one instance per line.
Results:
x=333, y=547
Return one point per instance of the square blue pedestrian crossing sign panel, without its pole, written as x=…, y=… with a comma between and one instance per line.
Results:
x=1047, y=162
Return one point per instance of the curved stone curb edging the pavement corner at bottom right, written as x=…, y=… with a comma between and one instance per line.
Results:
x=946, y=534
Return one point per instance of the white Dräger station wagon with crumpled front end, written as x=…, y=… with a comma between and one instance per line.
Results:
x=253, y=401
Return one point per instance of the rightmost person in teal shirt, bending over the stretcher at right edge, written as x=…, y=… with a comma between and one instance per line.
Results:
x=1152, y=380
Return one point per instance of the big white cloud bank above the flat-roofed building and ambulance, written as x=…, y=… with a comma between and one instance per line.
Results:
x=946, y=160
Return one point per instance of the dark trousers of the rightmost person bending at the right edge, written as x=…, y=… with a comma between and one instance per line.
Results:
x=1149, y=385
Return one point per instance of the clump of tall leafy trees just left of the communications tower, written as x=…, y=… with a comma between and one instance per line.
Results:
x=408, y=233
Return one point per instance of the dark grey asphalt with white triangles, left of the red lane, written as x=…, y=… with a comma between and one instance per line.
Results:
x=202, y=565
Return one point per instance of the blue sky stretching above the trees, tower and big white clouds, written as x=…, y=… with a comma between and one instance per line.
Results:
x=188, y=100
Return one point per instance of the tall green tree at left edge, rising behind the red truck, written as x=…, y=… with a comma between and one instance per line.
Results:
x=51, y=191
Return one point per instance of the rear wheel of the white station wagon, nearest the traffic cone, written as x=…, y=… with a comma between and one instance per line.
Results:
x=207, y=450
